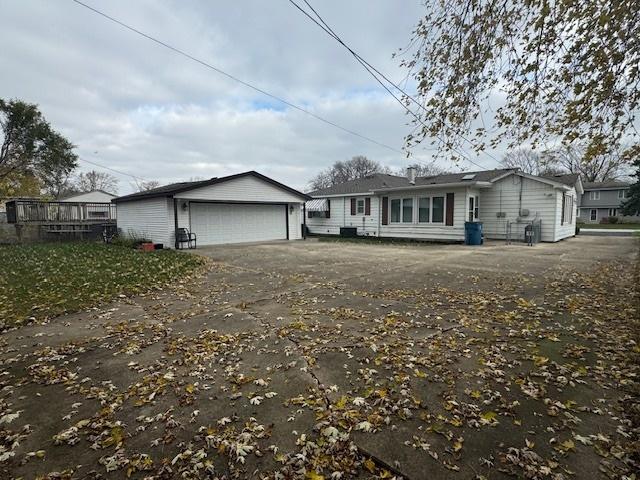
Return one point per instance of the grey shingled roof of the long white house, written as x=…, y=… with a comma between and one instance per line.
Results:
x=381, y=181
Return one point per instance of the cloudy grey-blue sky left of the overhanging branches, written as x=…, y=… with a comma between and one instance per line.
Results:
x=141, y=109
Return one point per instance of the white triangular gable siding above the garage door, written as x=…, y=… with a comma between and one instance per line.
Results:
x=245, y=189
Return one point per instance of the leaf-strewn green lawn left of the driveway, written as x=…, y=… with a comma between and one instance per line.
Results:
x=45, y=280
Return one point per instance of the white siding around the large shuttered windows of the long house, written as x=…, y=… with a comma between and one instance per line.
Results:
x=427, y=231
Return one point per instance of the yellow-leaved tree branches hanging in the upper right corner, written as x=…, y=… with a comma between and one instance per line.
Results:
x=558, y=71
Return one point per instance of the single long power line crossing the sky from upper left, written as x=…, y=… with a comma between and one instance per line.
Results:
x=234, y=78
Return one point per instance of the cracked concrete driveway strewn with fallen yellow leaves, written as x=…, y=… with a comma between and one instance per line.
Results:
x=340, y=360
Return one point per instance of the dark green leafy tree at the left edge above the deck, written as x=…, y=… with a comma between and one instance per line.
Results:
x=31, y=146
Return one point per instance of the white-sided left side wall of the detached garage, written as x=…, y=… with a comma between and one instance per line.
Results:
x=148, y=218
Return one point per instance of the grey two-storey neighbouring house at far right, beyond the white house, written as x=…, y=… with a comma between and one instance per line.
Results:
x=602, y=200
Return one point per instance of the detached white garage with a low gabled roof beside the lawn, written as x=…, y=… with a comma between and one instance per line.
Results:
x=246, y=207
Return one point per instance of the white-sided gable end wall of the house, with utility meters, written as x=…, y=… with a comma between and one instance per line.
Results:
x=537, y=197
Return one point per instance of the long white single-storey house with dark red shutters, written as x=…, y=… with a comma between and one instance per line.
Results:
x=437, y=207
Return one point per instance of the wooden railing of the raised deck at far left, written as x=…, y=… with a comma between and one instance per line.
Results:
x=33, y=211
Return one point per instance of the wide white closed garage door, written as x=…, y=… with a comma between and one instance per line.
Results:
x=216, y=223
